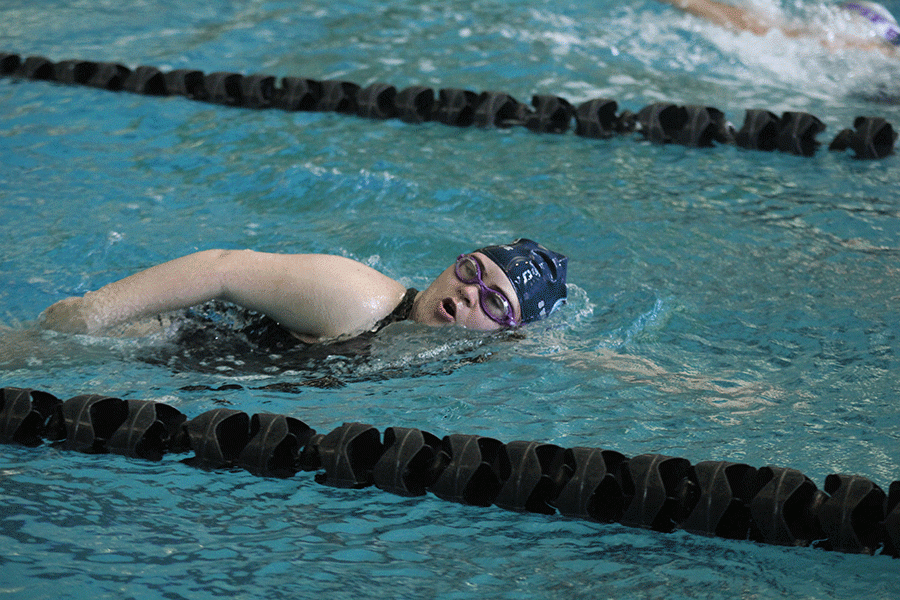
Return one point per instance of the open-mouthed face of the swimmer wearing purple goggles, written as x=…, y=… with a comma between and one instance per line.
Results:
x=449, y=301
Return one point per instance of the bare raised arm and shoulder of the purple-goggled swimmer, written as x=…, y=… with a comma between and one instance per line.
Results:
x=313, y=295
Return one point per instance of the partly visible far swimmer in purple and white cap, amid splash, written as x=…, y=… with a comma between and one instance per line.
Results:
x=878, y=29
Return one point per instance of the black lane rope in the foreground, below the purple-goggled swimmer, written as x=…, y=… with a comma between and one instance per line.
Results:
x=771, y=504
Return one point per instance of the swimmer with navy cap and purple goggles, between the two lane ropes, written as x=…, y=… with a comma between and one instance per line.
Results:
x=323, y=297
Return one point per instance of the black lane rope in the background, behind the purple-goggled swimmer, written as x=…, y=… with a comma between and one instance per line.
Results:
x=661, y=122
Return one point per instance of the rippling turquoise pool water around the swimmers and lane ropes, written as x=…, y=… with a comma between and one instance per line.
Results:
x=725, y=304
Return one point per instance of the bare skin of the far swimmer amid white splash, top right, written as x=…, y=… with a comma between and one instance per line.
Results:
x=739, y=19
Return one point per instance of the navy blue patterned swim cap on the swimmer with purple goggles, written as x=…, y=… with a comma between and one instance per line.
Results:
x=537, y=274
